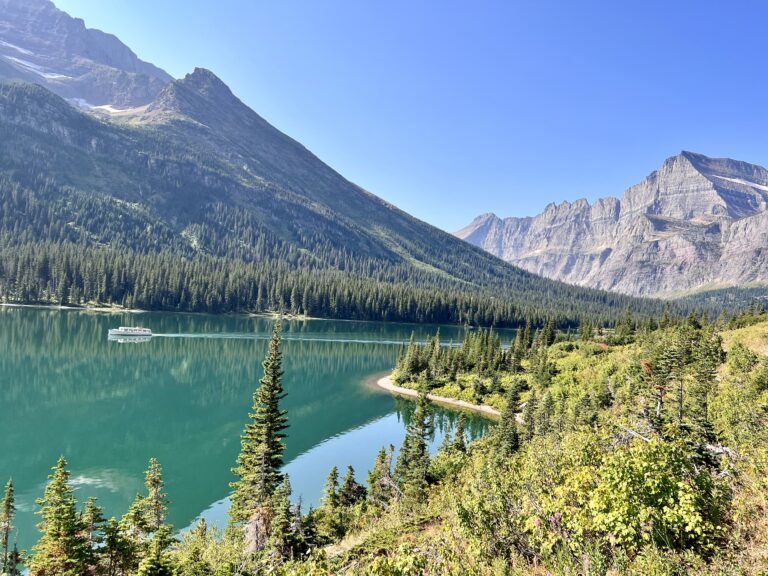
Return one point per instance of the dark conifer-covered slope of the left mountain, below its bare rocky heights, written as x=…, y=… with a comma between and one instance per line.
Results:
x=104, y=214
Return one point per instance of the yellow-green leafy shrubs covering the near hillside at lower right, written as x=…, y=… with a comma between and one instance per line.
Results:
x=602, y=492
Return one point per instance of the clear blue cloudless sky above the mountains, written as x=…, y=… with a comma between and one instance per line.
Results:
x=450, y=108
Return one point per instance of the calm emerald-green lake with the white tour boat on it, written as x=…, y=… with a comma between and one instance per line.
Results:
x=183, y=398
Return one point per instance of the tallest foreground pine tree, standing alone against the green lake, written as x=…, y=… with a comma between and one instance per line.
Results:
x=261, y=454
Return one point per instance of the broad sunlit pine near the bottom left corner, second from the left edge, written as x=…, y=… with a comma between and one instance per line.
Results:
x=62, y=549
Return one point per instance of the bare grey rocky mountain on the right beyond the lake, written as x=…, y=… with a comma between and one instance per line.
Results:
x=696, y=222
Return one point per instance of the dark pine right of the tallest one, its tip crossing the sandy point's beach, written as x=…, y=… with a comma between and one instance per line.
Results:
x=412, y=465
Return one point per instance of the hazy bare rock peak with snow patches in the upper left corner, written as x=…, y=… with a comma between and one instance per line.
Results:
x=41, y=44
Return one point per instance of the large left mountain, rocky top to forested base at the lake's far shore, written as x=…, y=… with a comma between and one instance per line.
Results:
x=145, y=174
